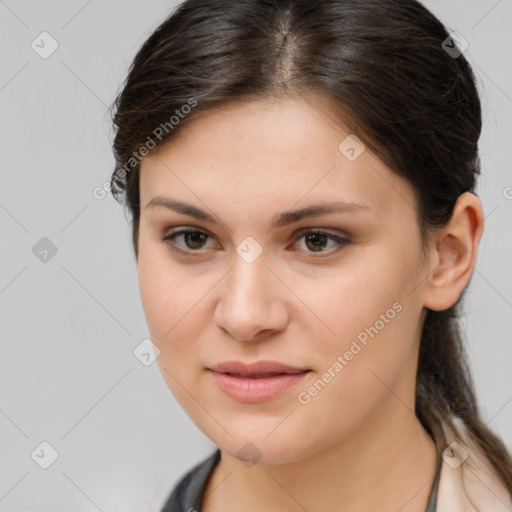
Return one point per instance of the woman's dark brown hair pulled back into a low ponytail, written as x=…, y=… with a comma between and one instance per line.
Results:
x=412, y=103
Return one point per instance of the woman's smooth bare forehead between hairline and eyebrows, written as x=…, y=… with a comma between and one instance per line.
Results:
x=275, y=152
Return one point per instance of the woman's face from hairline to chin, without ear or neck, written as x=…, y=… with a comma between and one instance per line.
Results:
x=344, y=302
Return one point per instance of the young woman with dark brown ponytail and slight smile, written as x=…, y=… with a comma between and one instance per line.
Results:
x=300, y=177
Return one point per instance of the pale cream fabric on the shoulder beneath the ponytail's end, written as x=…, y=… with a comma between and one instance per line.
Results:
x=468, y=481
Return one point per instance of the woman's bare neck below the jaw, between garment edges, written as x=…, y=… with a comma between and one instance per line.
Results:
x=389, y=464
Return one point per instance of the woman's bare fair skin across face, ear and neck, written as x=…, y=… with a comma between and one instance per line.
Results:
x=357, y=444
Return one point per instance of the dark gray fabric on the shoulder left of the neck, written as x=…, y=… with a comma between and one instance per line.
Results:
x=186, y=494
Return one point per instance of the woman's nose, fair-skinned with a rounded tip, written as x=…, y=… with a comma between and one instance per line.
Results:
x=252, y=301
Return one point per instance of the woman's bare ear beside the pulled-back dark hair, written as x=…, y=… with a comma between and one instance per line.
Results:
x=454, y=253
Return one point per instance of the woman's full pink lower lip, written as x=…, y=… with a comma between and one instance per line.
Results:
x=261, y=389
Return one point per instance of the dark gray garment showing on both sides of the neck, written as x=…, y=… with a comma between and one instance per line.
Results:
x=187, y=495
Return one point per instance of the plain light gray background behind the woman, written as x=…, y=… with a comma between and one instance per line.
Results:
x=69, y=326
